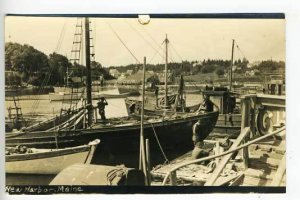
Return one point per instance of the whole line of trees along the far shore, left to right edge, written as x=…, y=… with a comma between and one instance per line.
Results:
x=31, y=66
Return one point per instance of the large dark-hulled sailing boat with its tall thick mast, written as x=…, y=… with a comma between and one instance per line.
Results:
x=118, y=136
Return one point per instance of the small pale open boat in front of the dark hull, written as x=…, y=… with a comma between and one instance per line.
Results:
x=47, y=161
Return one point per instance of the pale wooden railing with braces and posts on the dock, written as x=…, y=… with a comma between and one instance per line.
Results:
x=250, y=106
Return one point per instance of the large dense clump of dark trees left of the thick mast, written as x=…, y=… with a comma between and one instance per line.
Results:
x=31, y=66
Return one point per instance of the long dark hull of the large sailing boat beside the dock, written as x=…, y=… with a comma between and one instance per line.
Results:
x=120, y=144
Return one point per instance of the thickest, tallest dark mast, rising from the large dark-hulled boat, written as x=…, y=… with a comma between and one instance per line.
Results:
x=88, y=72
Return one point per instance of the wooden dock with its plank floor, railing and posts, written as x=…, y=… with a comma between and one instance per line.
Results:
x=256, y=157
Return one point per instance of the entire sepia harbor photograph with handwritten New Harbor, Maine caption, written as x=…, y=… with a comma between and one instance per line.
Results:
x=150, y=103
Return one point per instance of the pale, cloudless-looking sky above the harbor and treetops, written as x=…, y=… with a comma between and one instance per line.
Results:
x=190, y=39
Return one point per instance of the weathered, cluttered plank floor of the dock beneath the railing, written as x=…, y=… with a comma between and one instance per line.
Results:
x=264, y=159
